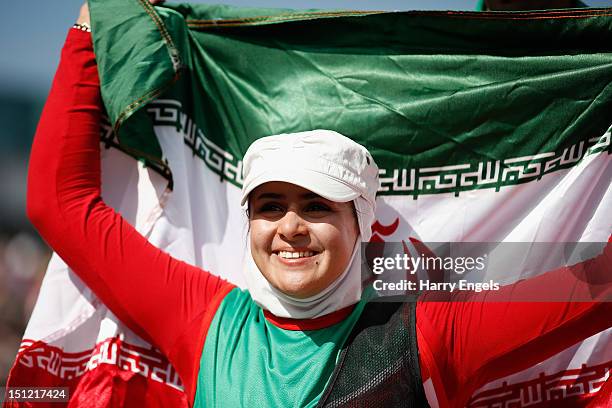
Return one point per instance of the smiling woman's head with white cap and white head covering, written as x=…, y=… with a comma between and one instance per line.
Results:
x=311, y=201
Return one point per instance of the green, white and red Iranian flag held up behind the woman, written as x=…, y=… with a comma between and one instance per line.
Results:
x=487, y=127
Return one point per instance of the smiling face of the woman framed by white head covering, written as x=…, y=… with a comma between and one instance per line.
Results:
x=300, y=241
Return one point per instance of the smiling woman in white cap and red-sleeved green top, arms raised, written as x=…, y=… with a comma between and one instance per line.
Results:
x=301, y=335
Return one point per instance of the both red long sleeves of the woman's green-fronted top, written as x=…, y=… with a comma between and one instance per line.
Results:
x=462, y=345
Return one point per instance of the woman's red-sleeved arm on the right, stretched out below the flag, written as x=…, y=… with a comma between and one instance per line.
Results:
x=485, y=336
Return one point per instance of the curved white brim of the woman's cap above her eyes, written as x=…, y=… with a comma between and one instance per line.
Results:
x=321, y=184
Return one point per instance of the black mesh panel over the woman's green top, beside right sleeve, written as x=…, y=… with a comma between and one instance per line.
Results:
x=379, y=363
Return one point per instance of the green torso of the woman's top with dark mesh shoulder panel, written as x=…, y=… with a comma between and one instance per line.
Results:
x=249, y=362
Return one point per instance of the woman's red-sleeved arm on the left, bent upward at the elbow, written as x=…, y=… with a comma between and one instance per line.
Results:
x=162, y=299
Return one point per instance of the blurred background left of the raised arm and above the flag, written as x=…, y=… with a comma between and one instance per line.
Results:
x=31, y=37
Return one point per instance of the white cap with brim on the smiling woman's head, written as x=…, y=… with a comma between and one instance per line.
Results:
x=322, y=161
